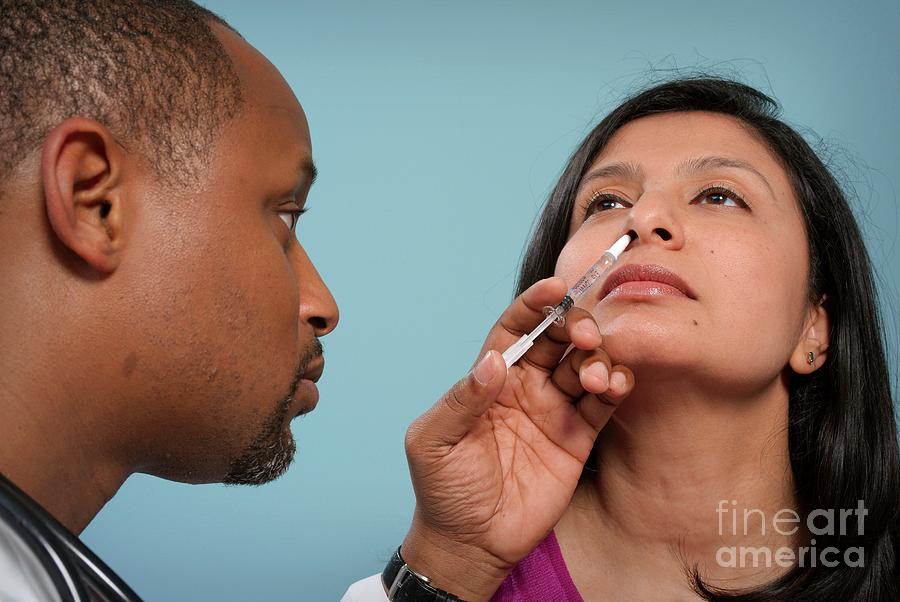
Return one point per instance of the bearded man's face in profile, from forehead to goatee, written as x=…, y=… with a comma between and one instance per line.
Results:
x=229, y=325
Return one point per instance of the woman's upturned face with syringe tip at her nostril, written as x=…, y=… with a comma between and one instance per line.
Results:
x=712, y=207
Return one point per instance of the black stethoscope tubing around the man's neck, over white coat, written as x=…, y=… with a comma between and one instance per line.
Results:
x=76, y=572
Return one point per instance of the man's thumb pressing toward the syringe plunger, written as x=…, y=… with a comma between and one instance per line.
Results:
x=458, y=411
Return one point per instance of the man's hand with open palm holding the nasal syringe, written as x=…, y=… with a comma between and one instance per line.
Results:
x=495, y=462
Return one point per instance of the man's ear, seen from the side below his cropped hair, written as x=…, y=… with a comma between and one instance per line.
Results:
x=81, y=168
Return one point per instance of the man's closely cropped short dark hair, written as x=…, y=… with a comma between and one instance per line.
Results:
x=152, y=71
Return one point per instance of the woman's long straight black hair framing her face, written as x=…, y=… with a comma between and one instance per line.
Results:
x=841, y=431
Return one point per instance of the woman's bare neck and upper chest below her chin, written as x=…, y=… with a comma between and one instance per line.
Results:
x=680, y=475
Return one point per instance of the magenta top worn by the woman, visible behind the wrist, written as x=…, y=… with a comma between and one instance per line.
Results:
x=542, y=575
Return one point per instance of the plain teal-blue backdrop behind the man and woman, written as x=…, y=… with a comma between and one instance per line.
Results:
x=438, y=129
